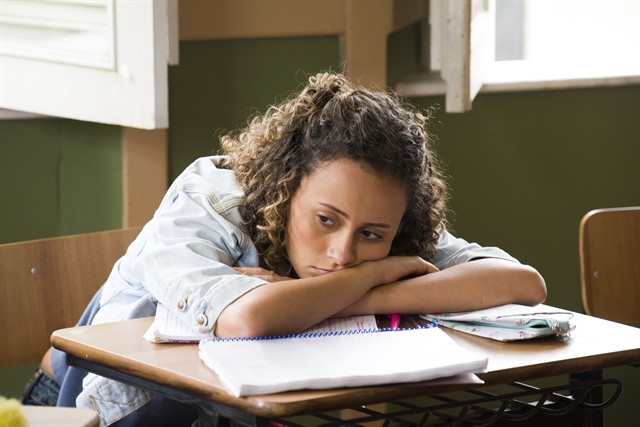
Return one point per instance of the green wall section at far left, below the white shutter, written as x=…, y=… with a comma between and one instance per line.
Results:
x=58, y=177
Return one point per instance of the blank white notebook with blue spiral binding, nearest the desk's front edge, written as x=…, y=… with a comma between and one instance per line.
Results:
x=250, y=366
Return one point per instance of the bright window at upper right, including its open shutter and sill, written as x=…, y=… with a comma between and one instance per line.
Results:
x=541, y=44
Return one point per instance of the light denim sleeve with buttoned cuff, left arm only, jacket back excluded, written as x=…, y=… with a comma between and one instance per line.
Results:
x=188, y=254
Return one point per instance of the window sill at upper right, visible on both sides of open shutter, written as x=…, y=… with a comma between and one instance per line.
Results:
x=523, y=76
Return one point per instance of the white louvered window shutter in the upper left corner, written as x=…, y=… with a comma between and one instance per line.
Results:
x=126, y=85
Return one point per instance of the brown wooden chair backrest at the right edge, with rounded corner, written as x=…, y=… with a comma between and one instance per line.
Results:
x=610, y=263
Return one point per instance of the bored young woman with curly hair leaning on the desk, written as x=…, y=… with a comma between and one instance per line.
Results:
x=330, y=204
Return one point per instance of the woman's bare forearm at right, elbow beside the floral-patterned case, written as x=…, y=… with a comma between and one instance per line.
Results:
x=472, y=285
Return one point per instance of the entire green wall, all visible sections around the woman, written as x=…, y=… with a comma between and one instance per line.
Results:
x=524, y=167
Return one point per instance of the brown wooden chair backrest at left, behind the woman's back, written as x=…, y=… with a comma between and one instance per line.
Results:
x=46, y=285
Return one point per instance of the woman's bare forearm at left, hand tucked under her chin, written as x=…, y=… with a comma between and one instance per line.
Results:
x=290, y=306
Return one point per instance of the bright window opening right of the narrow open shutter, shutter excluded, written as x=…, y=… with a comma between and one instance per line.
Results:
x=566, y=43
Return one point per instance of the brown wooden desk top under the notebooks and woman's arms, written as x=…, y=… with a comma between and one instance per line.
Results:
x=595, y=344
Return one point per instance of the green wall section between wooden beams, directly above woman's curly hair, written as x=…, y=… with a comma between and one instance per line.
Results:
x=220, y=84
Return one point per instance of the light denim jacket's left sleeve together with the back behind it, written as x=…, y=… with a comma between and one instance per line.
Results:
x=183, y=256
